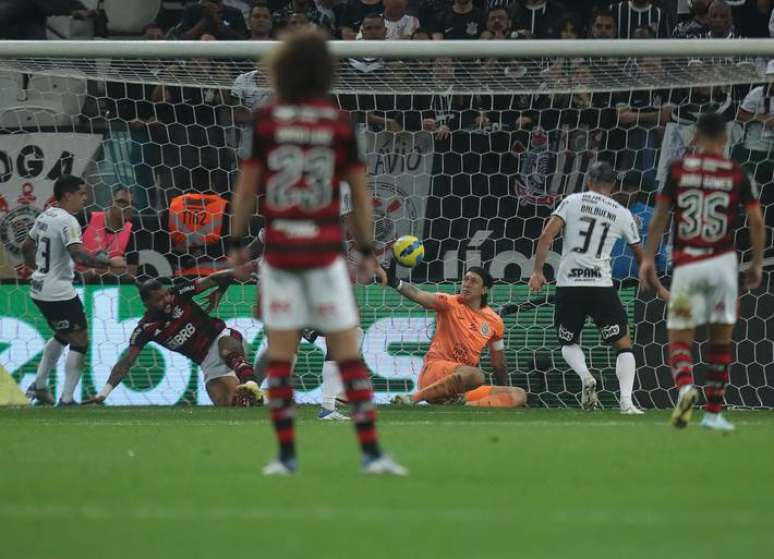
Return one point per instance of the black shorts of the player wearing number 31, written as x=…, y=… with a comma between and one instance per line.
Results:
x=575, y=304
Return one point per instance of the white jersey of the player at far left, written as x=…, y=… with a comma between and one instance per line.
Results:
x=53, y=231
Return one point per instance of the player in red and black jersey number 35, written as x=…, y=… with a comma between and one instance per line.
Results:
x=704, y=191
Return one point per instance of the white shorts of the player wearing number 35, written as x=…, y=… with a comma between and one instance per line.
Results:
x=704, y=292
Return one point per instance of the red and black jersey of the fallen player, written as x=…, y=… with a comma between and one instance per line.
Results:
x=187, y=329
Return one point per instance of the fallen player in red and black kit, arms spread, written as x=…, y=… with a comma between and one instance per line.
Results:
x=174, y=321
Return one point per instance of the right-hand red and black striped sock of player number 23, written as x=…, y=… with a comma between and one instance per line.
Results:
x=354, y=375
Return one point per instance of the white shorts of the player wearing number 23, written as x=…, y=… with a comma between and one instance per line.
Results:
x=320, y=298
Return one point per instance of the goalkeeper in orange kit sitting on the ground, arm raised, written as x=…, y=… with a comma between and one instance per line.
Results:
x=465, y=325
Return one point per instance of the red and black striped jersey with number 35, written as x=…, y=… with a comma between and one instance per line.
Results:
x=705, y=193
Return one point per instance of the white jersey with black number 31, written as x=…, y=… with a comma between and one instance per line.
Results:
x=592, y=224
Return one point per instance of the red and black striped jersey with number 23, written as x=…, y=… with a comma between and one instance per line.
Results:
x=304, y=151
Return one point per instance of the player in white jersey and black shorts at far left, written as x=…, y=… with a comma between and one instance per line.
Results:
x=50, y=249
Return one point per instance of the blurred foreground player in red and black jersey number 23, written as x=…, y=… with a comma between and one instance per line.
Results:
x=302, y=147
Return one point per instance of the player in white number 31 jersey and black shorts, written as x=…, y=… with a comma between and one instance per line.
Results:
x=592, y=222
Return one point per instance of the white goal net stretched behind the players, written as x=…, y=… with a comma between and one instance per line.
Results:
x=469, y=147
